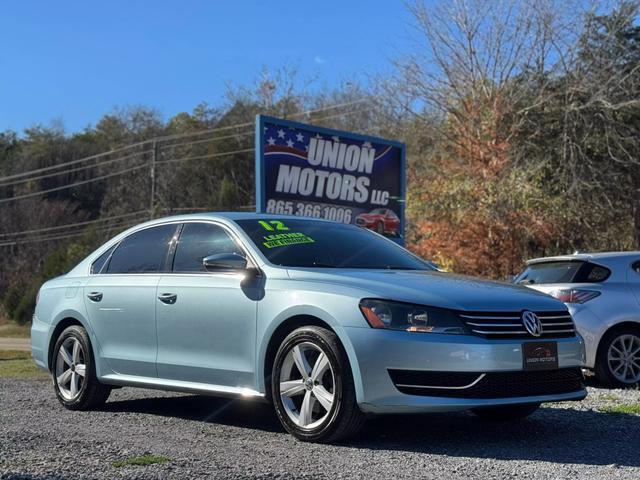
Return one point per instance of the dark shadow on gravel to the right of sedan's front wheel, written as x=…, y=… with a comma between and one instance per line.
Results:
x=555, y=435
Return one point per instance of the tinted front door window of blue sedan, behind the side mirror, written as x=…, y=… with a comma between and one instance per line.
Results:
x=198, y=241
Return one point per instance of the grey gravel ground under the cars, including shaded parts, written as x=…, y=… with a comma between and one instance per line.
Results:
x=205, y=437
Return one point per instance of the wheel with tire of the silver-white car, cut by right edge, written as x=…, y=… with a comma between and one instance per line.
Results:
x=611, y=347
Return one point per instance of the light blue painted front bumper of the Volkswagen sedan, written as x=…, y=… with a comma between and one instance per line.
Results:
x=379, y=351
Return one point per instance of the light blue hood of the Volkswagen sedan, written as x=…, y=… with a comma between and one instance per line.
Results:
x=438, y=289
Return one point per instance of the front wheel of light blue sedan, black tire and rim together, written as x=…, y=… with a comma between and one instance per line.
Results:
x=321, y=404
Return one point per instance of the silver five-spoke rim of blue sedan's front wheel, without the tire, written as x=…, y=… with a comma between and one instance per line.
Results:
x=307, y=385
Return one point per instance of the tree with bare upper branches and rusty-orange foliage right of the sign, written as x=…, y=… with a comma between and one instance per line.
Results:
x=461, y=90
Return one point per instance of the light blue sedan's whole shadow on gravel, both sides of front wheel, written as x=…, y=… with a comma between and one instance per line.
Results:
x=556, y=435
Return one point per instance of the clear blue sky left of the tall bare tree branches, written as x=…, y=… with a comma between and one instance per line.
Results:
x=73, y=61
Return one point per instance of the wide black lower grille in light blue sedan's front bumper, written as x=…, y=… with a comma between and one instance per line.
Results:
x=488, y=385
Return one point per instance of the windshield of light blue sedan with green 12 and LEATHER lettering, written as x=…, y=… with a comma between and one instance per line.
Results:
x=292, y=242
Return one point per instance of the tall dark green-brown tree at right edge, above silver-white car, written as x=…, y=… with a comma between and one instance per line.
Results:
x=584, y=140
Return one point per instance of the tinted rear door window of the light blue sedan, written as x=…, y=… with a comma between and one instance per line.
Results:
x=144, y=251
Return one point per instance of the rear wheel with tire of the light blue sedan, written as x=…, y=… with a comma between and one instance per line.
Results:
x=74, y=390
